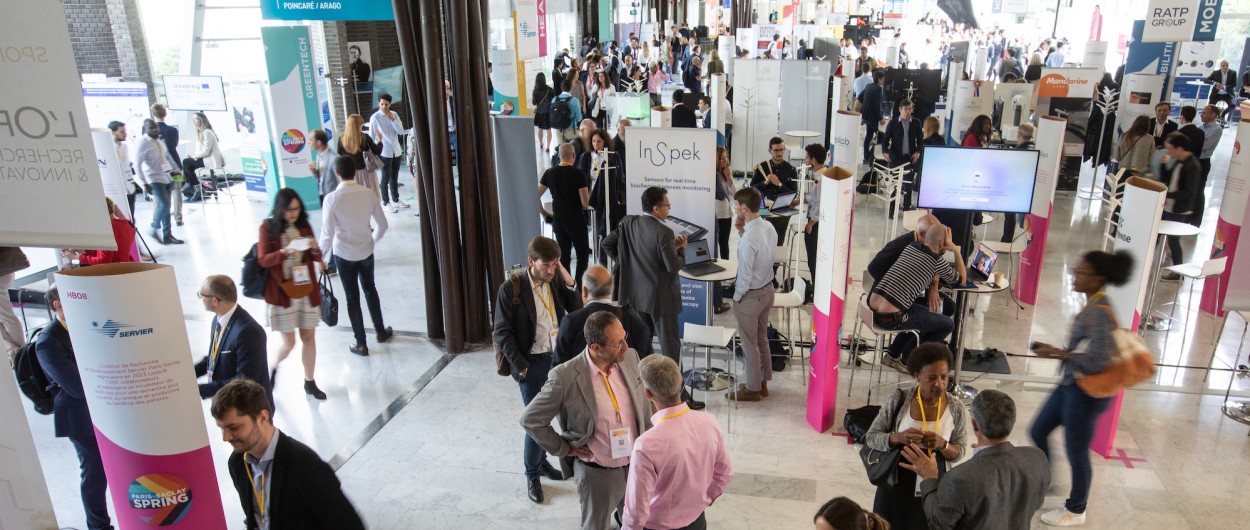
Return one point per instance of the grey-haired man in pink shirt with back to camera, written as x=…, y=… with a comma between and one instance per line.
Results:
x=678, y=468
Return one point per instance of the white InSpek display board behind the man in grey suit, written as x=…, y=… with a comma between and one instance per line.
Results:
x=684, y=163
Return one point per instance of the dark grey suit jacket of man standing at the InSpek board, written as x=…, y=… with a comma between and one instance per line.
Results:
x=647, y=266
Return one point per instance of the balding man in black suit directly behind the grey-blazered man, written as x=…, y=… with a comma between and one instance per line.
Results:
x=597, y=294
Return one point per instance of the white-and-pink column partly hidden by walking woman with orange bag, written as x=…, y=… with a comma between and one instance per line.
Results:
x=1138, y=233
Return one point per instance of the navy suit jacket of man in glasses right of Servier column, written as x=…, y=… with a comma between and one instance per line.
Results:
x=243, y=353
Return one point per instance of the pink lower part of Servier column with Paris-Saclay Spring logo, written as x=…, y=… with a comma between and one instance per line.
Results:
x=159, y=491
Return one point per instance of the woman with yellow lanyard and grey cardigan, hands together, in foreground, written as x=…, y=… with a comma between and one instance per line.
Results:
x=923, y=414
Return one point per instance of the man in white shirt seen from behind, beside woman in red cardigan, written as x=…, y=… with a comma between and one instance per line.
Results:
x=348, y=233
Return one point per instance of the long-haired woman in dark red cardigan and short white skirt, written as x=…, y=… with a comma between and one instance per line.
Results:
x=288, y=248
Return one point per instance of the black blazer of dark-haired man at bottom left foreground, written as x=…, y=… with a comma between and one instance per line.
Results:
x=304, y=494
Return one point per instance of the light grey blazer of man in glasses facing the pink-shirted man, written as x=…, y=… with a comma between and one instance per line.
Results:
x=569, y=394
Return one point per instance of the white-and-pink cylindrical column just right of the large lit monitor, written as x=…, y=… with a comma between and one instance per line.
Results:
x=1037, y=227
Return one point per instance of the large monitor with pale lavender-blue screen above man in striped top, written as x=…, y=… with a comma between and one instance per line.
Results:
x=978, y=179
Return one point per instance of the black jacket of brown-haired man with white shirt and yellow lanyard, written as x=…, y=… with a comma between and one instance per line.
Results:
x=514, y=323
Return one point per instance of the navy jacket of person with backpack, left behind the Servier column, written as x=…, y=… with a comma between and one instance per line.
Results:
x=56, y=353
